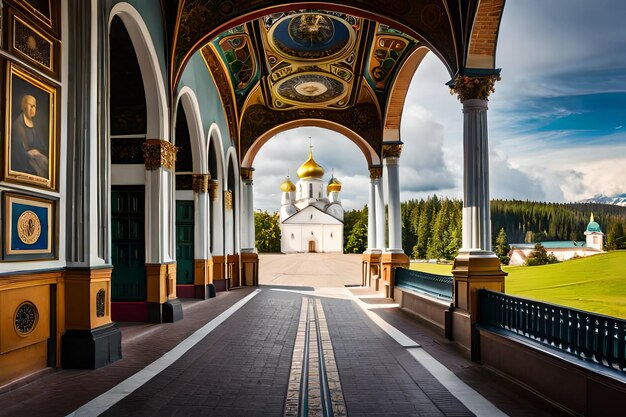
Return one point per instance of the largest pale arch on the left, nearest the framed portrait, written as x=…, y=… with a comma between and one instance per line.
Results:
x=158, y=125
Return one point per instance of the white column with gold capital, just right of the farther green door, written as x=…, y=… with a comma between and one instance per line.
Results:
x=202, y=215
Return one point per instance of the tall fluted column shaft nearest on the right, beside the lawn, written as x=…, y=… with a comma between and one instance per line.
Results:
x=476, y=205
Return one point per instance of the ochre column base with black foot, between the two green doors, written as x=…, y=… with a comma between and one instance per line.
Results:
x=162, y=304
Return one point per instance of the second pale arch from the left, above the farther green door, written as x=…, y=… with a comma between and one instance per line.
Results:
x=187, y=98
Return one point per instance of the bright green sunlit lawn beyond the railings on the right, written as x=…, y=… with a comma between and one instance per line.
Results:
x=596, y=283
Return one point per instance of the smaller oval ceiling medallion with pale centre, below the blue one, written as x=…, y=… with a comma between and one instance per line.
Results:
x=310, y=89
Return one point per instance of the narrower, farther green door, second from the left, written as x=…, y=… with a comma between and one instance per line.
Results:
x=184, y=242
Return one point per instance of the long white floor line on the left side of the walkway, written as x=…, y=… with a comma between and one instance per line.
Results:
x=107, y=400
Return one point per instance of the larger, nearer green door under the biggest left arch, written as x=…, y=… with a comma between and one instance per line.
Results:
x=128, y=280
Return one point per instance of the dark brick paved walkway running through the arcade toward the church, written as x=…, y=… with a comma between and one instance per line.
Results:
x=242, y=368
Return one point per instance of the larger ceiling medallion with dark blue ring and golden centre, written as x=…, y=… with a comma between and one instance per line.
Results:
x=311, y=36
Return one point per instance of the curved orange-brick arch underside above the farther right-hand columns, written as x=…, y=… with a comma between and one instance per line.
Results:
x=399, y=90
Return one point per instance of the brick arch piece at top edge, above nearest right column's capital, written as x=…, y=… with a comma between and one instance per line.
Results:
x=481, y=52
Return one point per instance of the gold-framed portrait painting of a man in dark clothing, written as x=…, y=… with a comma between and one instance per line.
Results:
x=31, y=129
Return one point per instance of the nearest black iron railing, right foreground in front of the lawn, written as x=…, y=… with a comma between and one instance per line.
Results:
x=589, y=336
